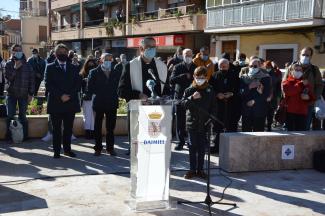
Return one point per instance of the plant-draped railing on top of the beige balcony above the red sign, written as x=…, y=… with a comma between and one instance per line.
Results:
x=167, y=13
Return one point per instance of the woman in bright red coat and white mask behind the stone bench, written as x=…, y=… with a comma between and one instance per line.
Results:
x=298, y=95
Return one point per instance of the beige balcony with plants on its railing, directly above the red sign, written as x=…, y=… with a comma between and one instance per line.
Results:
x=180, y=19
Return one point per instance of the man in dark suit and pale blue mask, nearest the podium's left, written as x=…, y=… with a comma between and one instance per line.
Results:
x=103, y=82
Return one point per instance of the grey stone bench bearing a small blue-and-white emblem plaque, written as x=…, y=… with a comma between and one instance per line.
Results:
x=263, y=151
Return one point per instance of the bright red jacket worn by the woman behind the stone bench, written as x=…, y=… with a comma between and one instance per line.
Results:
x=293, y=88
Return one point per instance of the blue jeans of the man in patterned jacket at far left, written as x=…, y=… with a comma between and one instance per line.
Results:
x=11, y=112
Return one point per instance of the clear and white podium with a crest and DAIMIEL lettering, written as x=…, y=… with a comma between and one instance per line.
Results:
x=150, y=137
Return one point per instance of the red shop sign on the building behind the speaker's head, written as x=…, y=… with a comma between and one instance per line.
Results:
x=166, y=40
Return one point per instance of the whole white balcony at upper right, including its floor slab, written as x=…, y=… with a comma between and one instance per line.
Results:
x=247, y=15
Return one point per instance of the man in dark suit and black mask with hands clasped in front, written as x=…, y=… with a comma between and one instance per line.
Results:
x=63, y=83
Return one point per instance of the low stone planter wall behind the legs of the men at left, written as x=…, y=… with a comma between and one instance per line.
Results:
x=38, y=126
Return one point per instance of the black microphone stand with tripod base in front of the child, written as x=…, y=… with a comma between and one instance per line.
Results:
x=208, y=200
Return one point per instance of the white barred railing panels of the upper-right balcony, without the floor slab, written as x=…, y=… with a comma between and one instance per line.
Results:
x=243, y=13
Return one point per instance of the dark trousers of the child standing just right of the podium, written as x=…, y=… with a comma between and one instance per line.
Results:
x=197, y=144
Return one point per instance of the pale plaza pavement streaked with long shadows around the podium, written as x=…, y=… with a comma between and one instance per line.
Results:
x=33, y=183
